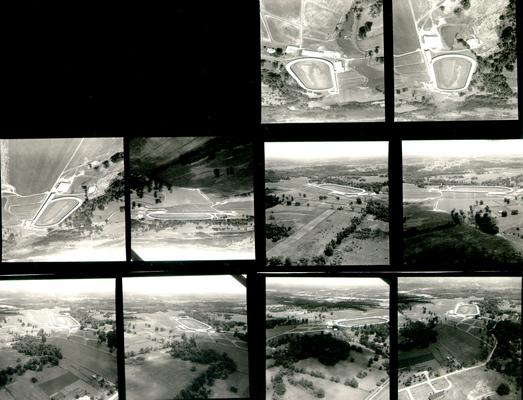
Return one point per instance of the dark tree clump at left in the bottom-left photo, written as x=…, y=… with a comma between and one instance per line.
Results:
x=41, y=354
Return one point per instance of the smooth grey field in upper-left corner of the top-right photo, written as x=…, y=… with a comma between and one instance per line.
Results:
x=405, y=32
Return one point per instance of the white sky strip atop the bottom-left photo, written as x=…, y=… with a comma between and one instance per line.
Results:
x=60, y=286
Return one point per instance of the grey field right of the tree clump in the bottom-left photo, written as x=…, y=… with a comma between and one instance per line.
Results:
x=79, y=356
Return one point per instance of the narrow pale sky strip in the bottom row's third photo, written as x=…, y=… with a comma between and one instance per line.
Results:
x=335, y=282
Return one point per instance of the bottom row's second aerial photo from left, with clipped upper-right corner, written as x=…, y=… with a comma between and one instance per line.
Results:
x=186, y=337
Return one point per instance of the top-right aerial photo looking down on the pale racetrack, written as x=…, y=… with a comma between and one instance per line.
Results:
x=455, y=60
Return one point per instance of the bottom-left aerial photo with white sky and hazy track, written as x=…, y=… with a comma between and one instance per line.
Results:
x=58, y=340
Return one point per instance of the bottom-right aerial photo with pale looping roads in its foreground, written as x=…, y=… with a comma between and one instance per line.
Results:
x=459, y=338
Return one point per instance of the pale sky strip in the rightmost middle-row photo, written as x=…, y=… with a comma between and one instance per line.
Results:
x=462, y=148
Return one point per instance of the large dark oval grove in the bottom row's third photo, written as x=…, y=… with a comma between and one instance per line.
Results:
x=328, y=349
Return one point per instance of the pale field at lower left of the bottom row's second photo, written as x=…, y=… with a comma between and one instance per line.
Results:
x=153, y=377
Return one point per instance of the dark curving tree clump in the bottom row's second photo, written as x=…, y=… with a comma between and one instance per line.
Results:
x=220, y=366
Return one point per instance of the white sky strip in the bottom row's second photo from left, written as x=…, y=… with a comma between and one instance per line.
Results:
x=204, y=284
